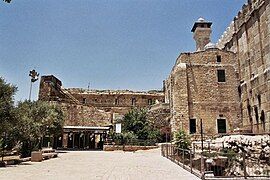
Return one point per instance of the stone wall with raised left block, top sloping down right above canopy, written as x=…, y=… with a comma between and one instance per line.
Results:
x=77, y=114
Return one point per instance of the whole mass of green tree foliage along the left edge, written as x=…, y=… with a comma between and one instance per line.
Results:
x=27, y=122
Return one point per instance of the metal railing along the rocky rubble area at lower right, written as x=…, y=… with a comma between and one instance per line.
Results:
x=215, y=165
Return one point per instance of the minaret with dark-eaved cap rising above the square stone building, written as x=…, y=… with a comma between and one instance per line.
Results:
x=201, y=33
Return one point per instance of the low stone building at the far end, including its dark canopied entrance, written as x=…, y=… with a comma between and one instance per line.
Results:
x=91, y=113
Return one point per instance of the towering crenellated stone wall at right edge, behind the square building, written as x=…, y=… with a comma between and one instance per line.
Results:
x=249, y=37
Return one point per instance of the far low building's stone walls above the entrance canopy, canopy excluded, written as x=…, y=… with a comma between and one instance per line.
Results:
x=95, y=107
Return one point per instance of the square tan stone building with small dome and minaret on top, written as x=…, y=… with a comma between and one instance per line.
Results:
x=203, y=85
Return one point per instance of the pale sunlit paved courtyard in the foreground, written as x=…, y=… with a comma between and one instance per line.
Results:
x=100, y=165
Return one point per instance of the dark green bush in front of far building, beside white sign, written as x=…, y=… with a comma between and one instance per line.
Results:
x=135, y=123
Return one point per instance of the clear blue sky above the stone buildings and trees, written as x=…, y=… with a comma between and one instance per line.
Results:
x=106, y=44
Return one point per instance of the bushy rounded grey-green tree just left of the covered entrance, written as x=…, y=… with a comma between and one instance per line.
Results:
x=35, y=120
